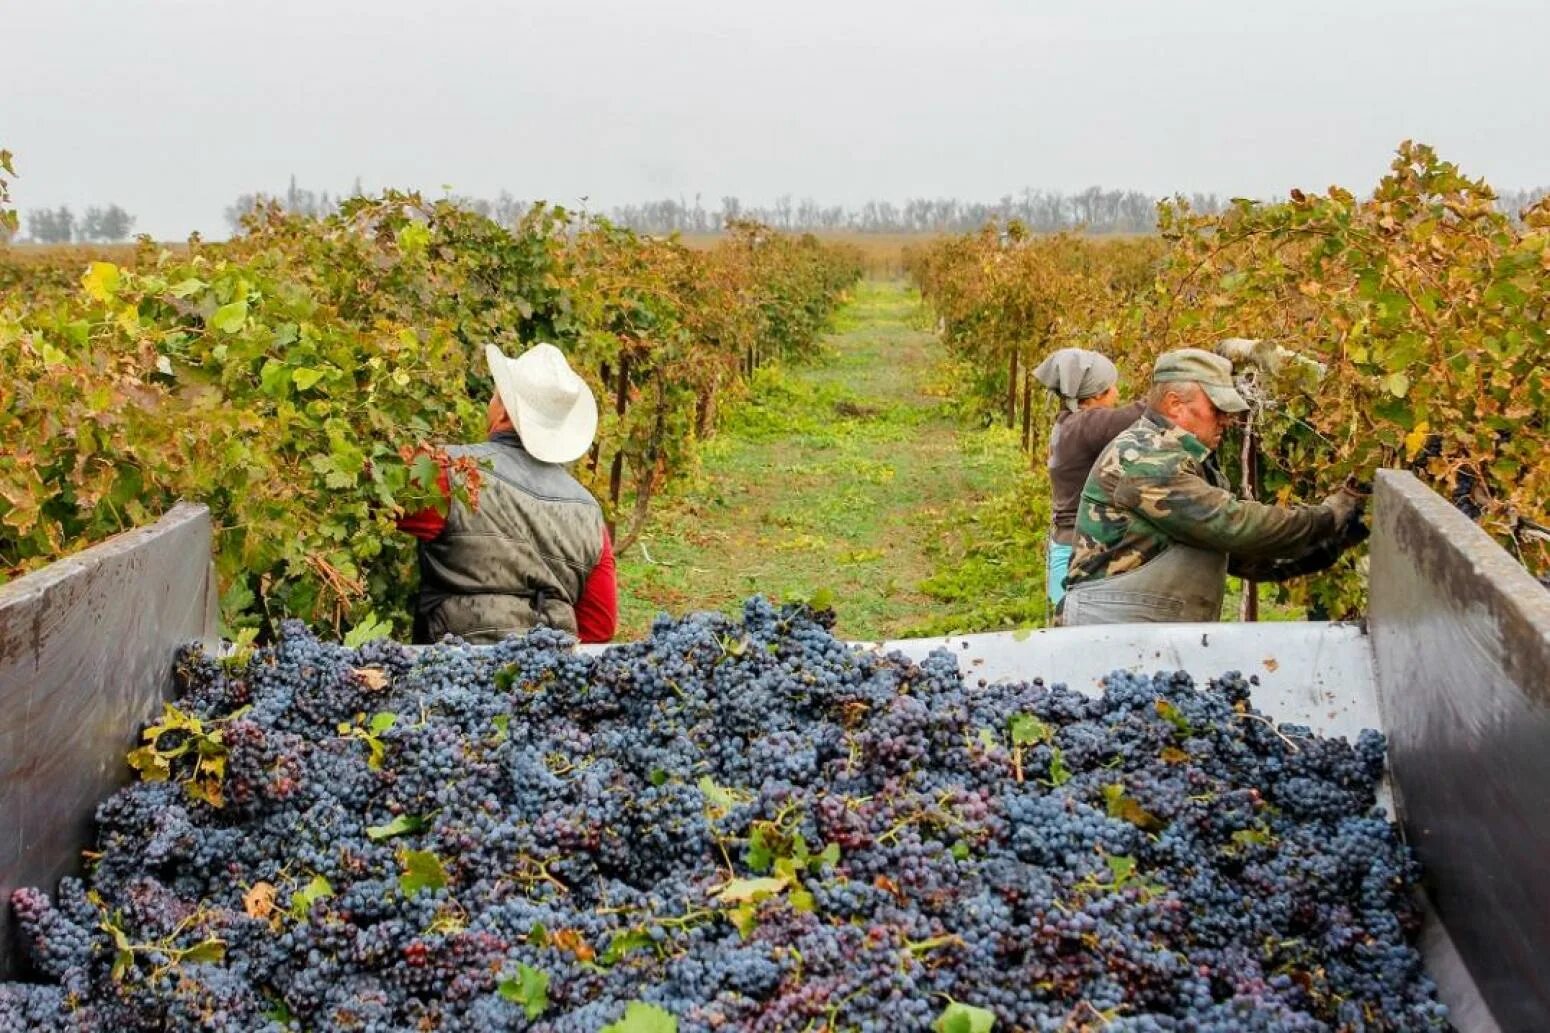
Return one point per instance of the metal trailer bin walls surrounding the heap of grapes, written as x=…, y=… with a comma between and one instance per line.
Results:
x=1453, y=666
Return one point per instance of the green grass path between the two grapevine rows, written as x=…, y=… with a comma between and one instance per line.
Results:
x=859, y=475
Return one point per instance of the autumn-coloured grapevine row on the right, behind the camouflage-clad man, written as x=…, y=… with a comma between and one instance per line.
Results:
x=1417, y=317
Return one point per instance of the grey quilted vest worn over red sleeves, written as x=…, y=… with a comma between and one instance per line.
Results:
x=520, y=561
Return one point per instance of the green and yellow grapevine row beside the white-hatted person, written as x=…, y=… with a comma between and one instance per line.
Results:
x=301, y=379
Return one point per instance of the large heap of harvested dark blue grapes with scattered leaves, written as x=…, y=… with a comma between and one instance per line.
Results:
x=743, y=823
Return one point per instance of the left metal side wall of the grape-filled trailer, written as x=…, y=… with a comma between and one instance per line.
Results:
x=86, y=657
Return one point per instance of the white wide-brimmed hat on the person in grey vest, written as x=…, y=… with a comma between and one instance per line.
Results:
x=553, y=409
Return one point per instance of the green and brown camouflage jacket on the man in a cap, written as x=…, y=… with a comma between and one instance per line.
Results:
x=1157, y=485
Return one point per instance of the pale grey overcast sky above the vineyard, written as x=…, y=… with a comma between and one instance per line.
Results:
x=173, y=108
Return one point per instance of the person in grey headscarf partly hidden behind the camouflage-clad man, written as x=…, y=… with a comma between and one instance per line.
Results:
x=1087, y=385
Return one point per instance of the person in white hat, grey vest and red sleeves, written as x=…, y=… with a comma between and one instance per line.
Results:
x=536, y=551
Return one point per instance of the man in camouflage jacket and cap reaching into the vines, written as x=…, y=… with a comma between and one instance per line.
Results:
x=1159, y=530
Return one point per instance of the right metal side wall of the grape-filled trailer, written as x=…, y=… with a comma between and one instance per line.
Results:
x=1462, y=649
